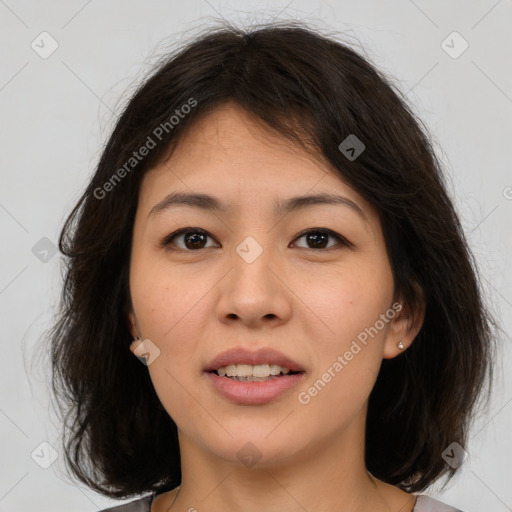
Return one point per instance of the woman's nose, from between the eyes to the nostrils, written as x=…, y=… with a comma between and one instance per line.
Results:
x=255, y=291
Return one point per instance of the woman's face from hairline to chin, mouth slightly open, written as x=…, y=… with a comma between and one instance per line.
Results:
x=247, y=276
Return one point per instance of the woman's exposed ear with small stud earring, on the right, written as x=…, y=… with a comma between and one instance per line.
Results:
x=405, y=325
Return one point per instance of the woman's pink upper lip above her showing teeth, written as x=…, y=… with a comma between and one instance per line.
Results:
x=261, y=356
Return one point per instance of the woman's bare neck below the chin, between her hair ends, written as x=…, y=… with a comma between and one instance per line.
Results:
x=330, y=476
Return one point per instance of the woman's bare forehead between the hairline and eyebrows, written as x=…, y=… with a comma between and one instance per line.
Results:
x=233, y=155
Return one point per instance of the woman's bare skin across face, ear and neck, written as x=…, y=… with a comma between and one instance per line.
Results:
x=309, y=303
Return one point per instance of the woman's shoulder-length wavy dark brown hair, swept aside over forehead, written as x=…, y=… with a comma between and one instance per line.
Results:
x=316, y=91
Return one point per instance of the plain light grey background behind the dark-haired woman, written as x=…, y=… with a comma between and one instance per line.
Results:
x=56, y=113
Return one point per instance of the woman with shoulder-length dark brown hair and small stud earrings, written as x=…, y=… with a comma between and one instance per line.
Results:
x=269, y=233
